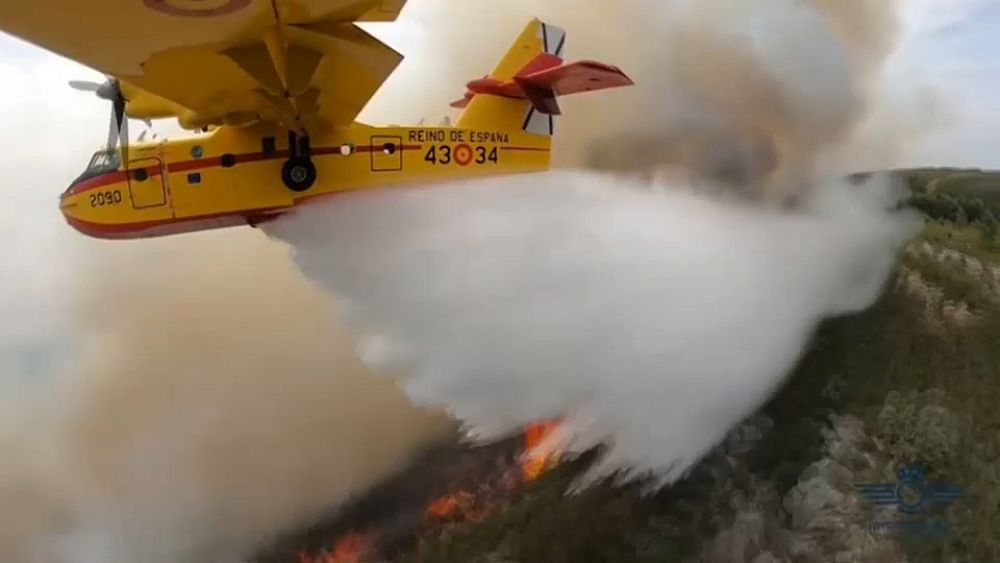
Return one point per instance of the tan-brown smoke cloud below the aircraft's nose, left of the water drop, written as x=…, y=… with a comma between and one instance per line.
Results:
x=209, y=403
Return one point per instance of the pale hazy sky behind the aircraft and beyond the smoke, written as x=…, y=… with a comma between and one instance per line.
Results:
x=949, y=54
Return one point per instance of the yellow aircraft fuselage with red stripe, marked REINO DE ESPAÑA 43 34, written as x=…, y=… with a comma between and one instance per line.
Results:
x=234, y=175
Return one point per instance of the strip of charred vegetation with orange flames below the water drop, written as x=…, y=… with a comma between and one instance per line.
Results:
x=447, y=488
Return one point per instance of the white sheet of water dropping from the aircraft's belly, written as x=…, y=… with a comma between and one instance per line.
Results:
x=654, y=319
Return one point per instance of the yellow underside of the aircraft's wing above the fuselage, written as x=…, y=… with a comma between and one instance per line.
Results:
x=209, y=62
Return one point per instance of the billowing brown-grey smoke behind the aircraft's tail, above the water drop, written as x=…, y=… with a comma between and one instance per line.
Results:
x=753, y=94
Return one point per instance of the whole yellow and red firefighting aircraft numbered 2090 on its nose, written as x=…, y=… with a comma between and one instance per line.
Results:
x=274, y=87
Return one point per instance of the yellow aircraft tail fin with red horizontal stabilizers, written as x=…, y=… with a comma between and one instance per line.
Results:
x=522, y=90
